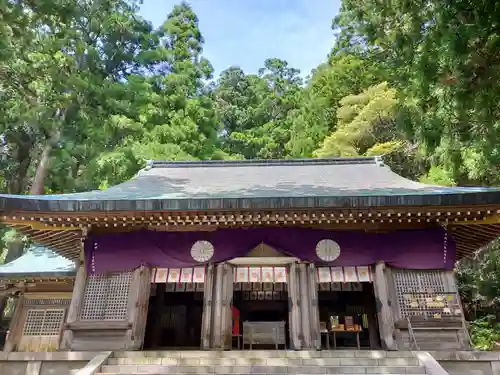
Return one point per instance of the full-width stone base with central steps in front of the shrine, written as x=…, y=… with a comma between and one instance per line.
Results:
x=251, y=362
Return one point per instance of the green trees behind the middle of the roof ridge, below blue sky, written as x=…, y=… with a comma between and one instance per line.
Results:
x=254, y=109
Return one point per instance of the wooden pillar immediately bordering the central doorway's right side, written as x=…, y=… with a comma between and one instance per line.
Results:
x=295, y=323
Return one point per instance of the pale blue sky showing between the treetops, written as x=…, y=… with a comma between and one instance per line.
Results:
x=246, y=32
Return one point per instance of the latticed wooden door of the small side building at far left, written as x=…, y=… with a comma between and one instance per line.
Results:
x=42, y=330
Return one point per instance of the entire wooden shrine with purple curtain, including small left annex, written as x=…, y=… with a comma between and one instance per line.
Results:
x=296, y=254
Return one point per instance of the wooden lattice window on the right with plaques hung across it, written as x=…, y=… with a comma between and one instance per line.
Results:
x=415, y=288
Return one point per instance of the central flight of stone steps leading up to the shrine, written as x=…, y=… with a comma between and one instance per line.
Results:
x=262, y=362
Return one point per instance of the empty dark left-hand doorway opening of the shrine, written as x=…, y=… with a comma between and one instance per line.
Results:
x=174, y=319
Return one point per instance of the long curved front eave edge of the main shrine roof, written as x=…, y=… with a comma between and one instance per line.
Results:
x=367, y=200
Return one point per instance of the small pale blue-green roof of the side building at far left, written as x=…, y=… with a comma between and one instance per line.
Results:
x=38, y=261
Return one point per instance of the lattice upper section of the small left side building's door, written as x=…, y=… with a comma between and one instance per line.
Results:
x=43, y=322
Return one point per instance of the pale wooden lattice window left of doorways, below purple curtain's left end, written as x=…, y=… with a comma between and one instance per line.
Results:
x=106, y=297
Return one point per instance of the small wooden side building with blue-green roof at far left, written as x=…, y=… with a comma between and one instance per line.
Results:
x=40, y=282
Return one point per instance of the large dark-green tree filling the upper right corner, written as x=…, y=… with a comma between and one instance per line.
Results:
x=445, y=60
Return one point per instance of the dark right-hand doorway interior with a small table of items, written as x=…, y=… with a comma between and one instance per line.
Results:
x=354, y=301
